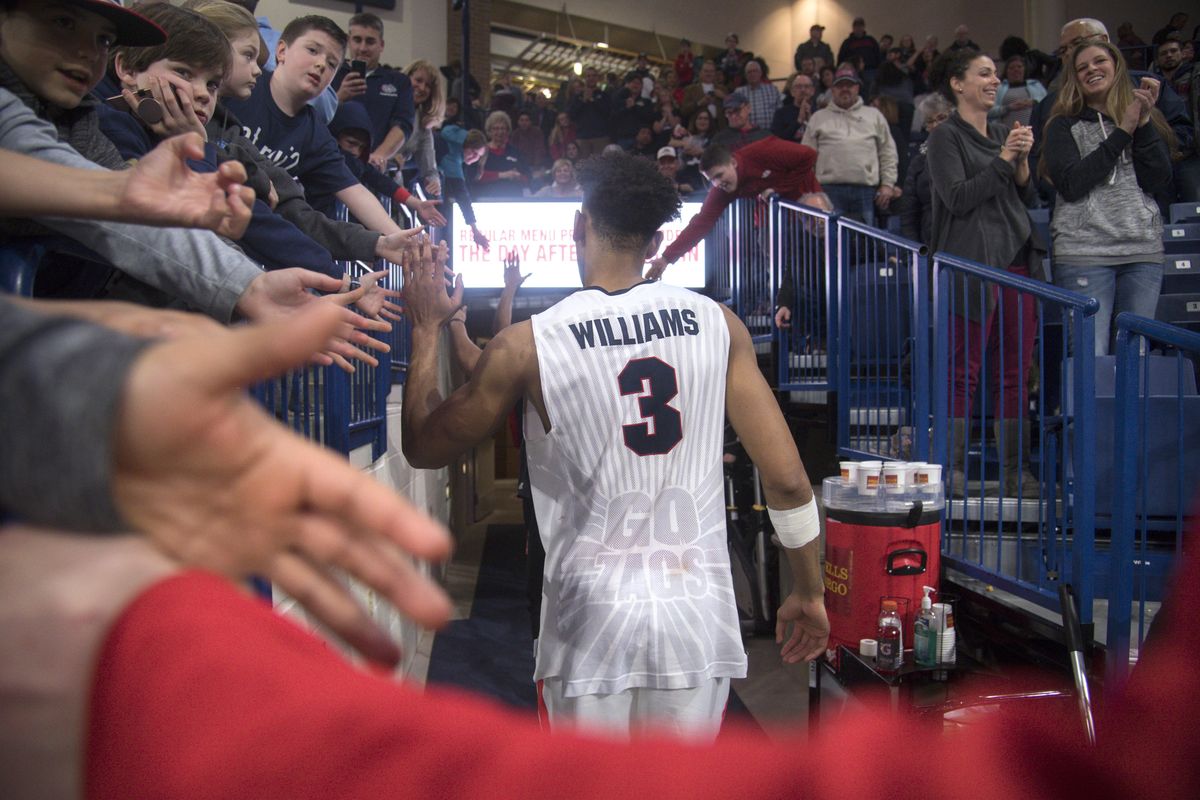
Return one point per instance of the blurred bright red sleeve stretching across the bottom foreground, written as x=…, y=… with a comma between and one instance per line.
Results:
x=203, y=693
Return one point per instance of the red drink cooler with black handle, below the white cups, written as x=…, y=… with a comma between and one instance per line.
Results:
x=877, y=555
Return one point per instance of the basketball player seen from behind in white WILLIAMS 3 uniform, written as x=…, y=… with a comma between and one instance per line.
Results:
x=627, y=383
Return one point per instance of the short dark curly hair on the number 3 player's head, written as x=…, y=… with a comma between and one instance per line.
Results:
x=627, y=199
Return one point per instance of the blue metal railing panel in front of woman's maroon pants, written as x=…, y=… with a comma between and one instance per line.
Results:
x=995, y=330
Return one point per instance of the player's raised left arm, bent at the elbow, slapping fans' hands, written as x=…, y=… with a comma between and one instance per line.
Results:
x=435, y=431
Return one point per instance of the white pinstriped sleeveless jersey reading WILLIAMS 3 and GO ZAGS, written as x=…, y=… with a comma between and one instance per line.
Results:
x=629, y=495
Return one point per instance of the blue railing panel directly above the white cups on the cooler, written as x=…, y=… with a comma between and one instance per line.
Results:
x=883, y=323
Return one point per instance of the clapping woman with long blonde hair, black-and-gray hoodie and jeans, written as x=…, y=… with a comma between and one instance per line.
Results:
x=1107, y=155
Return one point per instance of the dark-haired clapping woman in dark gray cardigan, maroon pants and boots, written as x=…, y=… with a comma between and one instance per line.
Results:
x=981, y=178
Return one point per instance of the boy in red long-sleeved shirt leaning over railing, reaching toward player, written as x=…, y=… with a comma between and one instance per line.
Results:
x=763, y=169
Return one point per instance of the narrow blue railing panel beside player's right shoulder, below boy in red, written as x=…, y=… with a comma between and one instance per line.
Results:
x=805, y=258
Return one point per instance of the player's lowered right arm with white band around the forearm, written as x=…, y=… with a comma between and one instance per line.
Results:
x=763, y=430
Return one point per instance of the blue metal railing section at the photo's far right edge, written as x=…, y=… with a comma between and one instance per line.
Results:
x=1157, y=448
